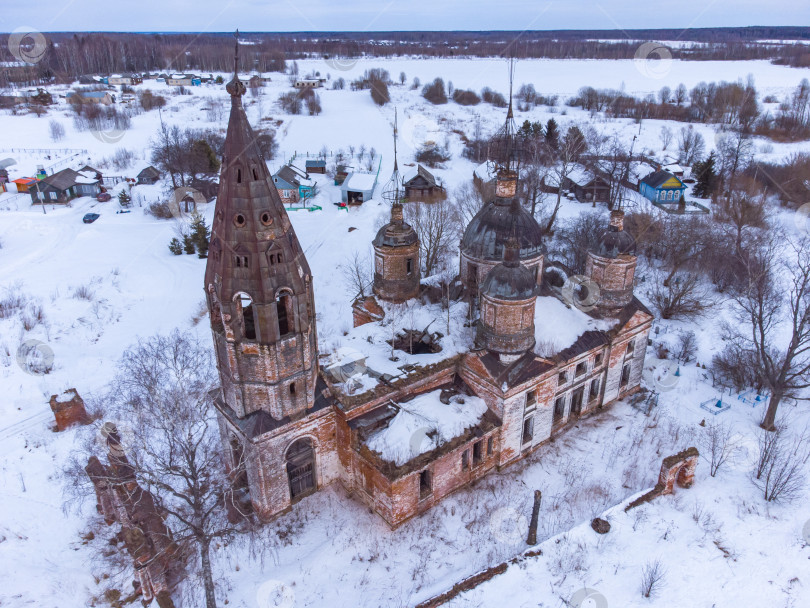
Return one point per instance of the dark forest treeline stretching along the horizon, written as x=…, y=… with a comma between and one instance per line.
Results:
x=70, y=55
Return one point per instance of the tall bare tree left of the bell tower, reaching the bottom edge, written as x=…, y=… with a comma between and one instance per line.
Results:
x=161, y=393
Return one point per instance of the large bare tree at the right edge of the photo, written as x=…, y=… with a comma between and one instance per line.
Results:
x=773, y=314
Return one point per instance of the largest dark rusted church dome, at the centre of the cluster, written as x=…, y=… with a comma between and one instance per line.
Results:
x=487, y=233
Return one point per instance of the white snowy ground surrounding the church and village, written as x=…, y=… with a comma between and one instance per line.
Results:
x=101, y=286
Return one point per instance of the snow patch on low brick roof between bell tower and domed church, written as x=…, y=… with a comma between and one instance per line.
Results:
x=423, y=424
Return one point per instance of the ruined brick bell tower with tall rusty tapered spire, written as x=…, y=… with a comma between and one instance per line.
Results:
x=258, y=285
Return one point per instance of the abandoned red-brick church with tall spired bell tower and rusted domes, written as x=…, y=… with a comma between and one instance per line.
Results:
x=295, y=425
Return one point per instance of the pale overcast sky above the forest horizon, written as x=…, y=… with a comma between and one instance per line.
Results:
x=371, y=15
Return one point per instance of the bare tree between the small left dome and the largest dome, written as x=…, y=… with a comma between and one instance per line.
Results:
x=434, y=224
